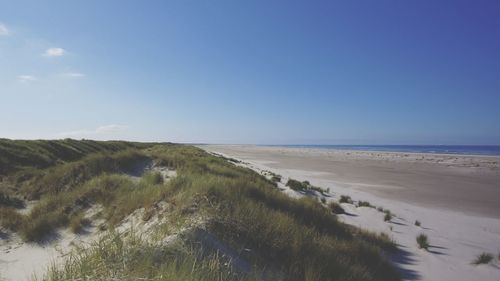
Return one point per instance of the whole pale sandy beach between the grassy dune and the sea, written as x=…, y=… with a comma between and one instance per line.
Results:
x=456, y=198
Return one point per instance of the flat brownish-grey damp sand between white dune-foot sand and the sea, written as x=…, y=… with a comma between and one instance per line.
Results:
x=468, y=184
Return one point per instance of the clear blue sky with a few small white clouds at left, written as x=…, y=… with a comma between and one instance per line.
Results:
x=291, y=72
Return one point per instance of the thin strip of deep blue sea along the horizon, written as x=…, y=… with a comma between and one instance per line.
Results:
x=440, y=149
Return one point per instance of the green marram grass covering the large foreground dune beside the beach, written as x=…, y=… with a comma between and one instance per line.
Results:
x=280, y=237
